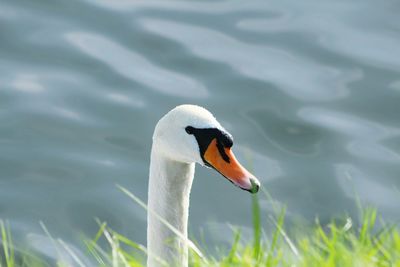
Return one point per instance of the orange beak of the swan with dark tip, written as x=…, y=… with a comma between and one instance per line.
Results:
x=230, y=167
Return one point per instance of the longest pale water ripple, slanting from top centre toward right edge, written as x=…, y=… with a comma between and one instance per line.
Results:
x=294, y=74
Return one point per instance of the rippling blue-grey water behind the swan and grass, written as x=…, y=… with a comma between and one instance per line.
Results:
x=310, y=91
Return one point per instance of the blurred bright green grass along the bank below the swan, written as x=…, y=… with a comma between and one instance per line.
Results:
x=340, y=243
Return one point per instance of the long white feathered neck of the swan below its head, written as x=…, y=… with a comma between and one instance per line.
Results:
x=170, y=183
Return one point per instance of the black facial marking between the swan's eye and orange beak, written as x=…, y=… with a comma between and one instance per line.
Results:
x=204, y=136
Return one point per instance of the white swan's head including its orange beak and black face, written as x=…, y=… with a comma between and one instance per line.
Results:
x=191, y=134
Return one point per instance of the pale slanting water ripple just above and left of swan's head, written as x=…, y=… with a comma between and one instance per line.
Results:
x=136, y=67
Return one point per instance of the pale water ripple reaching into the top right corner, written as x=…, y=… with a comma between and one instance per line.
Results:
x=337, y=28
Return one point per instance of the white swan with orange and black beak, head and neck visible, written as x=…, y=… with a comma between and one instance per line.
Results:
x=186, y=135
